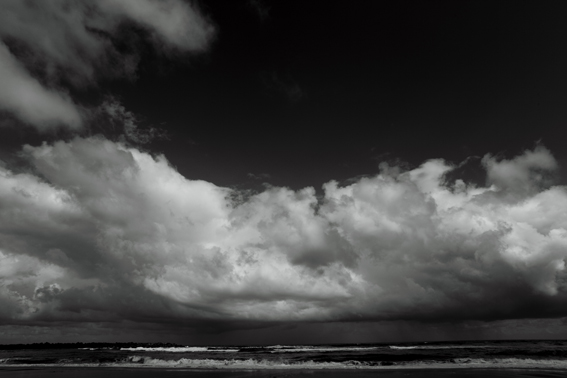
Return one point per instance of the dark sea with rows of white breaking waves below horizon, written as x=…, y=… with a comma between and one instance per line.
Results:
x=519, y=358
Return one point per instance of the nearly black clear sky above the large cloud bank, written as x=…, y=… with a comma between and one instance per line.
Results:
x=335, y=88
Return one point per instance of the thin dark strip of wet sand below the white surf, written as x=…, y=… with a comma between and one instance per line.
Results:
x=90, y=372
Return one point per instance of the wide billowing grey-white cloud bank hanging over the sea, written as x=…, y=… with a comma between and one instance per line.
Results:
x=95, y=231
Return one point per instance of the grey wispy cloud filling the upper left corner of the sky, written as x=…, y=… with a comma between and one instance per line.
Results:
x=49, y=45
